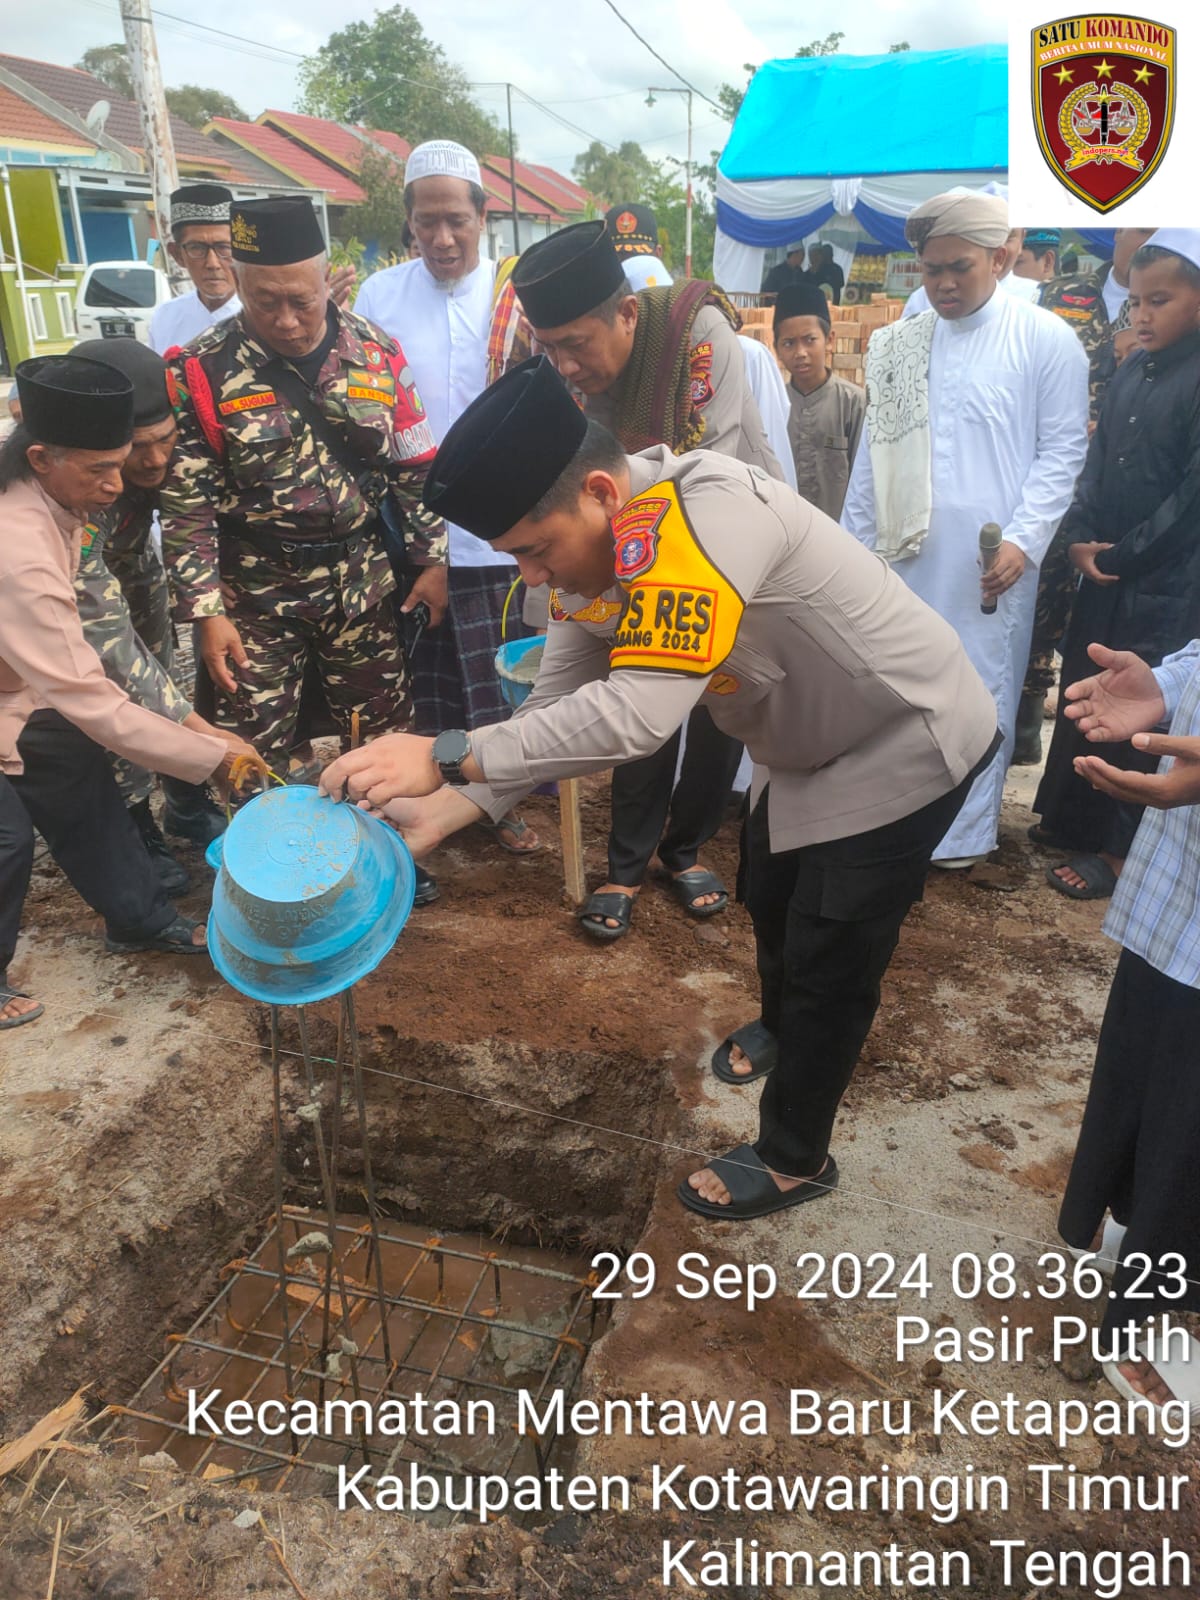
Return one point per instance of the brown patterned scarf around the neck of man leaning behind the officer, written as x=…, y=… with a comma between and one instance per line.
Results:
x=654, y=401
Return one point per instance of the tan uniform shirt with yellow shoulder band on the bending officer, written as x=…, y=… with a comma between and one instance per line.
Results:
x=855, y=700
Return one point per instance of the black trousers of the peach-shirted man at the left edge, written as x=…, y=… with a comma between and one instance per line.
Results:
x=70, y=794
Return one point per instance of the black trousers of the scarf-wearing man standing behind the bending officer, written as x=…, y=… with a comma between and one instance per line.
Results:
x=647, y=801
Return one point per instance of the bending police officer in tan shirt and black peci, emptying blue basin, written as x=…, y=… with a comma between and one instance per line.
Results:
x=700, y=578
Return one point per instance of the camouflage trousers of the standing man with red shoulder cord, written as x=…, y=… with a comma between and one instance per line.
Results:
x=359, y=662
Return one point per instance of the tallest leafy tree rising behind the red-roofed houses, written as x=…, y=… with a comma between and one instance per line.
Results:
x=391, y=76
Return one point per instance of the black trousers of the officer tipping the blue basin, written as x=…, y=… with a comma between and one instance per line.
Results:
x=826, y=922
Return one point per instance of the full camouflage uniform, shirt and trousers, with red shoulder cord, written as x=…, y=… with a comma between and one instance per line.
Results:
x=258, y=503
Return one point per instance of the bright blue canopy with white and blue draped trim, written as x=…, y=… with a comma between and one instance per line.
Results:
x=855, y=137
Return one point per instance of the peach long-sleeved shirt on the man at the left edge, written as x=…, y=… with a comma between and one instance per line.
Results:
x=46, y=663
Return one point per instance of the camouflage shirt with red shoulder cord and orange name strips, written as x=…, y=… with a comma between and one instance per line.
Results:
x=247, y=457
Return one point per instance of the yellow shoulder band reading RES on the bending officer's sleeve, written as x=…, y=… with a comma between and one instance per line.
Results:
x=682, y=618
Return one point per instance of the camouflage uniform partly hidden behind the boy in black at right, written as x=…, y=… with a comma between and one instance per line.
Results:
x=1079, y=300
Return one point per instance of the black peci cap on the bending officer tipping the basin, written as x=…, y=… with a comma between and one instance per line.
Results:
x=510, y=447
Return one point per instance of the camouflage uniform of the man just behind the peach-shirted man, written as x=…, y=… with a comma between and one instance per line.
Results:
x=126, y=654
